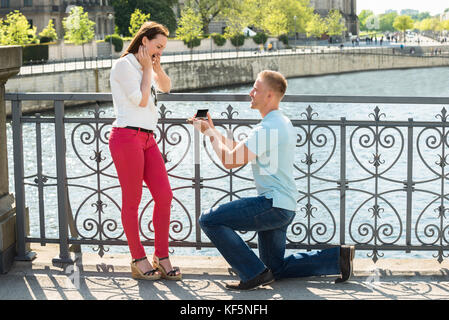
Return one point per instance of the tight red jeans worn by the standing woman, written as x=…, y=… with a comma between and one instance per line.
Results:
x=137, y=158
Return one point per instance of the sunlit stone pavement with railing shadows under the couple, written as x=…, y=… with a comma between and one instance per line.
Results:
x=205, y=277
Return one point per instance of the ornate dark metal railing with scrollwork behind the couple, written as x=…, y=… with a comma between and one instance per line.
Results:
x=380, y=185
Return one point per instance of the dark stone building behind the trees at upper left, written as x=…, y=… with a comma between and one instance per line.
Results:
x=39, y=12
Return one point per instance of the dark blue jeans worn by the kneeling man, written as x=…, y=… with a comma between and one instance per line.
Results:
x=258, y=214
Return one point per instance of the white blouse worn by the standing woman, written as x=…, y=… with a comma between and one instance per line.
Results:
x=125, y=79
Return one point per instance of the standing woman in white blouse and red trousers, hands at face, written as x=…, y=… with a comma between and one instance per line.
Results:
x=134, y=79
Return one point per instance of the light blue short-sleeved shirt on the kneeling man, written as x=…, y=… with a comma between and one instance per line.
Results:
x=273, y=140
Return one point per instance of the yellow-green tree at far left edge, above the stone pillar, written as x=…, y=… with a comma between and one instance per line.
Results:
x=16, y=30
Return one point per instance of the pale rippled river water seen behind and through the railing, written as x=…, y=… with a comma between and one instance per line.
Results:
x=432, y=82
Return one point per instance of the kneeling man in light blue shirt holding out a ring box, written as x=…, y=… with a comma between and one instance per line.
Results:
x=270, y=147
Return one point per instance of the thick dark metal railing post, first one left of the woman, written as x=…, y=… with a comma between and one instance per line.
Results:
x=64, y=256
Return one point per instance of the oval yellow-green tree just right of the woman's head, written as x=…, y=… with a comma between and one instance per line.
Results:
x=190, y=28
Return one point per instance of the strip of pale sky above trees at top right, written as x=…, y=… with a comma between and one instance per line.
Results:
x=379, y=6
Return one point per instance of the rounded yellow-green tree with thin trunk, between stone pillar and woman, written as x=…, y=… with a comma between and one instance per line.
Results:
x=79, y=29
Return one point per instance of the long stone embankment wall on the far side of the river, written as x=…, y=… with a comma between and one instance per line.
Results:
x=203, y=74
